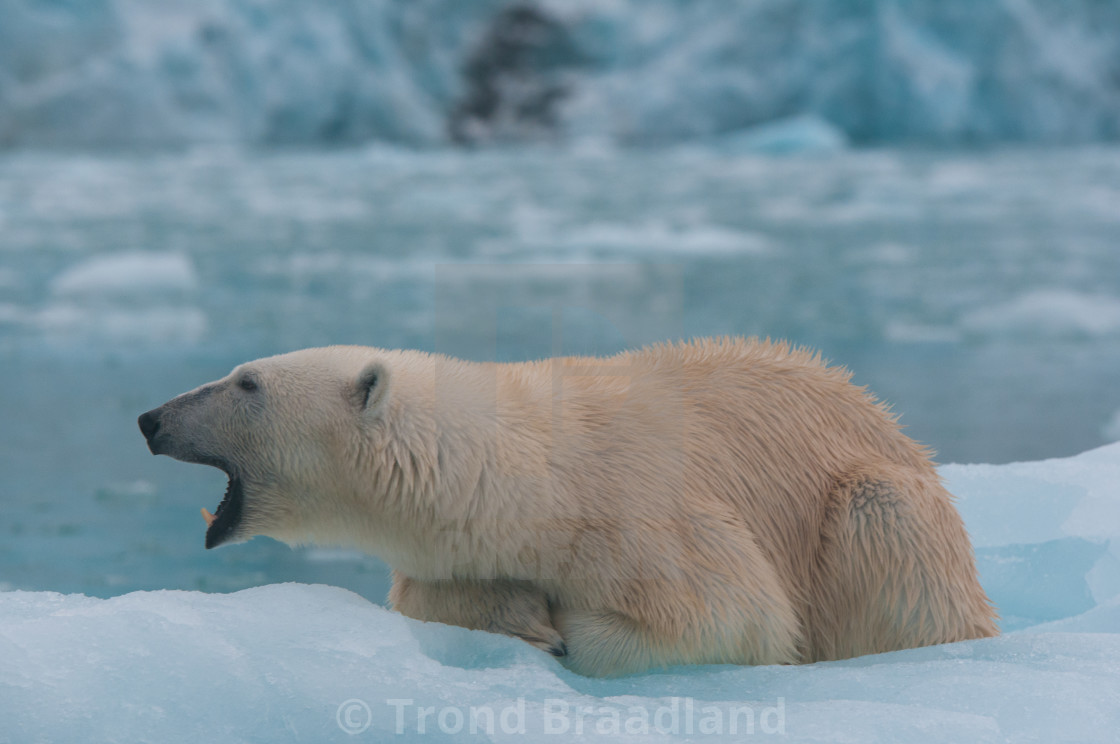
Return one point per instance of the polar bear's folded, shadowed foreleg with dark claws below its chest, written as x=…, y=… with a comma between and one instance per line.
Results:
x=506, y=607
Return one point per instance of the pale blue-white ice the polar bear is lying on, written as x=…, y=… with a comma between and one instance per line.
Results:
x=311, y=663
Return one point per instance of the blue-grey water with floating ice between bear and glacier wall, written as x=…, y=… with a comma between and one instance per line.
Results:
x=978, y=293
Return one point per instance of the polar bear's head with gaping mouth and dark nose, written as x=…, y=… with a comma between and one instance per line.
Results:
x=288, y=432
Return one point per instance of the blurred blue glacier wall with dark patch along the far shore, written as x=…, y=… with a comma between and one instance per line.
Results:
x=113, y=73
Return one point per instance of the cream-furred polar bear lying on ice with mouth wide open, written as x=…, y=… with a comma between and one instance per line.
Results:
x=714, y=501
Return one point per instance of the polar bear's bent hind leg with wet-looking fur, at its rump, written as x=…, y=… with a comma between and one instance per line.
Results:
x=895, y=569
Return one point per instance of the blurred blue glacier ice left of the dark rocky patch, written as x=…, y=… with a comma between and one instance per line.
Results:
x=172, y=72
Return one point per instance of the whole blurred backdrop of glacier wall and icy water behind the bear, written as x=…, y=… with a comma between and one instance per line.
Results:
x=928, y=191
